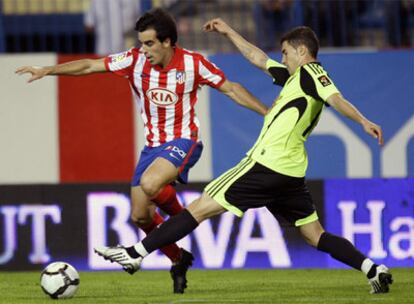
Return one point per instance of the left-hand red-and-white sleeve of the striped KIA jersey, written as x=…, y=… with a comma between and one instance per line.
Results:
x=122, y=63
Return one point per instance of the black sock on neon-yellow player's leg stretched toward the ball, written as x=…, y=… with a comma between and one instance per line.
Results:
x=170, y=231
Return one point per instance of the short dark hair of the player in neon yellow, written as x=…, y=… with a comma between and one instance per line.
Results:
x=302, y=35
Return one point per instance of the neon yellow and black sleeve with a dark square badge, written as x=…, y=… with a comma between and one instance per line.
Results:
x=315, y=82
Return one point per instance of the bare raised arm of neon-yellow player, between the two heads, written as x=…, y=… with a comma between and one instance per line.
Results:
x=252, y=53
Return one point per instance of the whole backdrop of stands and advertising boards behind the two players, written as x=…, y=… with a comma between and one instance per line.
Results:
x=68, y=145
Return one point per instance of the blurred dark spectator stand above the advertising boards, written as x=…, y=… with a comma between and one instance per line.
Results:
x=67, y=26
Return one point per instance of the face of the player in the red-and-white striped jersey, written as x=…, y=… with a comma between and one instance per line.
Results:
x=157, y=52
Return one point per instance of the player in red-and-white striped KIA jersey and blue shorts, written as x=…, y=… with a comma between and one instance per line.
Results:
x=165, y=79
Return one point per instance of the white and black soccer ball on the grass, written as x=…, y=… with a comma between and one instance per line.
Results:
x=59, y=280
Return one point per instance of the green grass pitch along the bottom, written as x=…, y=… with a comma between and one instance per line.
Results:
x=216, y=286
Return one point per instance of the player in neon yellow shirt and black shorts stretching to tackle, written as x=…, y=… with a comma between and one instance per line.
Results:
x=272, y=174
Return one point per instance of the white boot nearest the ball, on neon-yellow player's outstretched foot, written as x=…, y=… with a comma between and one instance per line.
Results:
x=119, y=255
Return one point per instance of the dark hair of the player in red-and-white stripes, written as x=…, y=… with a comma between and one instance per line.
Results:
x=161, y=21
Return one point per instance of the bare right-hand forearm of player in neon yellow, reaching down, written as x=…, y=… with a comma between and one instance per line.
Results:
x=347, y=109
